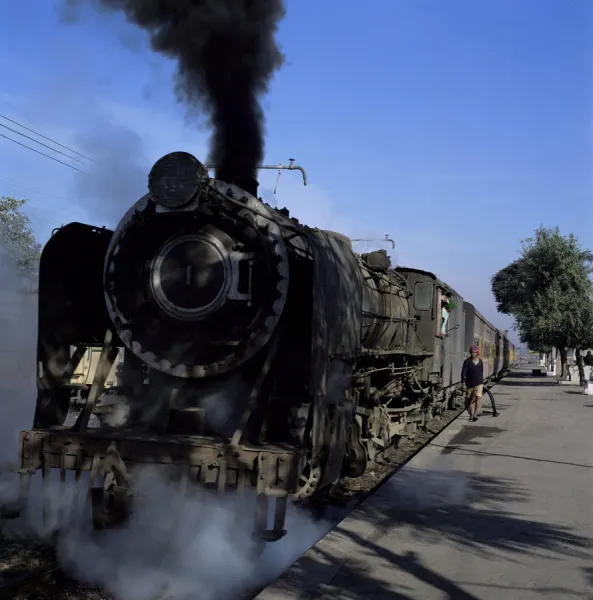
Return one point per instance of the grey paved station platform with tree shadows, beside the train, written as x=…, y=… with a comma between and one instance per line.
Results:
x=498, y=508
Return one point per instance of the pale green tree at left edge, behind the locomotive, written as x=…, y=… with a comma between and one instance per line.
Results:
x=16, y=237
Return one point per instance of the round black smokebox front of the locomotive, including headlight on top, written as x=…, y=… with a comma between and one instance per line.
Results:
x=196, y=273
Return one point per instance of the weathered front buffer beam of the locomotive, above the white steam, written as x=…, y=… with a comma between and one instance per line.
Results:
x=273, y=470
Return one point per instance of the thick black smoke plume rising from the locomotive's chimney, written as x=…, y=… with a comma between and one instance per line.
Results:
x=226, y=54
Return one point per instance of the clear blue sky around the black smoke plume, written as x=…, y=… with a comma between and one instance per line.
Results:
x=456, y=127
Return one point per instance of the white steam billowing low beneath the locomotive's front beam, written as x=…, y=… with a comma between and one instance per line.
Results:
x=177, y=545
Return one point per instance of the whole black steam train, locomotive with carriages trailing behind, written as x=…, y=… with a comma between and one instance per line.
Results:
x=241, y=348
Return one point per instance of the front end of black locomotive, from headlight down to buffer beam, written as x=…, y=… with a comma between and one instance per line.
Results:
x=182, y=301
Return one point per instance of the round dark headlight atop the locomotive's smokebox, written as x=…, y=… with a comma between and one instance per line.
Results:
x=175, y=179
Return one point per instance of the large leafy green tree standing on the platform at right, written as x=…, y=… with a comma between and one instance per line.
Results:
x=549, y=292
